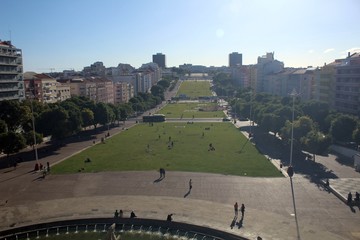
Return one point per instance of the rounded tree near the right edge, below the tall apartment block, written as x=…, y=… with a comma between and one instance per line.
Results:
x=343, y=127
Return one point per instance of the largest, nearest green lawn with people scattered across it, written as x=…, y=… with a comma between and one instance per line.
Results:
x=146, y=147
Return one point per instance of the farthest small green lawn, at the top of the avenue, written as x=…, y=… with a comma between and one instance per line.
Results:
x=195, y=89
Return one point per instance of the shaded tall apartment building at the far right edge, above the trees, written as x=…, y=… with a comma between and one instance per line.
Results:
x=347, y=85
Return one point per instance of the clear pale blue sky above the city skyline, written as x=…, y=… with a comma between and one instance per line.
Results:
x=65, y=34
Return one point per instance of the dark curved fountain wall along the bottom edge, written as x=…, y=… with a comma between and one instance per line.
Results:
x=176, y=229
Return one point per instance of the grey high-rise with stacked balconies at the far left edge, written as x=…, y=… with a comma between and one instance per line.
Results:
x=11, y=72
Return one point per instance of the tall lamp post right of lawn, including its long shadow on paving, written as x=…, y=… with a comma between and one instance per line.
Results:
x=290, y=169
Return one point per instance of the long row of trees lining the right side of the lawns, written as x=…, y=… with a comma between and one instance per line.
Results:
x=315, y=127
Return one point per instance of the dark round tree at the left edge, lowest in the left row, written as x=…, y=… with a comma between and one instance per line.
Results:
x=11, y=142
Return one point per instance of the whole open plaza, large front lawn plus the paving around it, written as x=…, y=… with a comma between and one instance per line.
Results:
x=123, y=173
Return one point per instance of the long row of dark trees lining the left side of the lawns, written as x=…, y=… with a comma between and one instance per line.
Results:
x=63, y=119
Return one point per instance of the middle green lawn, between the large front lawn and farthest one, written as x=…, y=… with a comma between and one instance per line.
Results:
x=189, y=110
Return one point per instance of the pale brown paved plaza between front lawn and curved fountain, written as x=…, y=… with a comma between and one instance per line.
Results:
x=269, y=209
